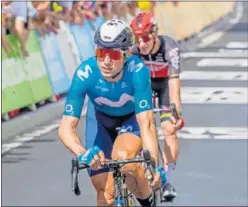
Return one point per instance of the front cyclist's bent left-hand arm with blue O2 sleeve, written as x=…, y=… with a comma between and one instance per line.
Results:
x=71, y=116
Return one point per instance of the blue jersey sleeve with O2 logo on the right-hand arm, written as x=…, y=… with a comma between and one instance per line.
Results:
x=142, y=87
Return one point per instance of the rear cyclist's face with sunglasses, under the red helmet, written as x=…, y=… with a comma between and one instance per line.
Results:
x=145, y=43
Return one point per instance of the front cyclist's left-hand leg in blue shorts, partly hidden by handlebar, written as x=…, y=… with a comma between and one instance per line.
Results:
x=102, y=180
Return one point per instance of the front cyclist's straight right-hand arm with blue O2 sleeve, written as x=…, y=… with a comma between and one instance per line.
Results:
x=143, y=109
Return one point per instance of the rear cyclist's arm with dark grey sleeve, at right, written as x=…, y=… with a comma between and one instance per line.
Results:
x=173, y=58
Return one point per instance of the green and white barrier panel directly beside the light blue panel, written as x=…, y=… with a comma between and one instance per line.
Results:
x=35, y=70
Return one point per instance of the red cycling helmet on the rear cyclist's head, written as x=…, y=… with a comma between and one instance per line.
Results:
x=144, y=24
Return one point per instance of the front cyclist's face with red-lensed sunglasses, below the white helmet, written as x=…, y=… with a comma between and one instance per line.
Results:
x=110, y=61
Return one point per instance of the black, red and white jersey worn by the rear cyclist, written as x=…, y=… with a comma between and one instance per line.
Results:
x=165, y=61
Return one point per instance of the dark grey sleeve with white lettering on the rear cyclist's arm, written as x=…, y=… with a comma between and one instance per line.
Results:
x=172, y=55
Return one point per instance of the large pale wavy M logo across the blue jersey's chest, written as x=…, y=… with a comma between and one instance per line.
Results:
x=122, y=101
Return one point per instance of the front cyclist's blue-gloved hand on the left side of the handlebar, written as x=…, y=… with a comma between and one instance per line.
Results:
x=94, y=157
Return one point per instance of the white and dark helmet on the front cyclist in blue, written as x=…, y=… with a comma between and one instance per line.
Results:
x=114, y=33
